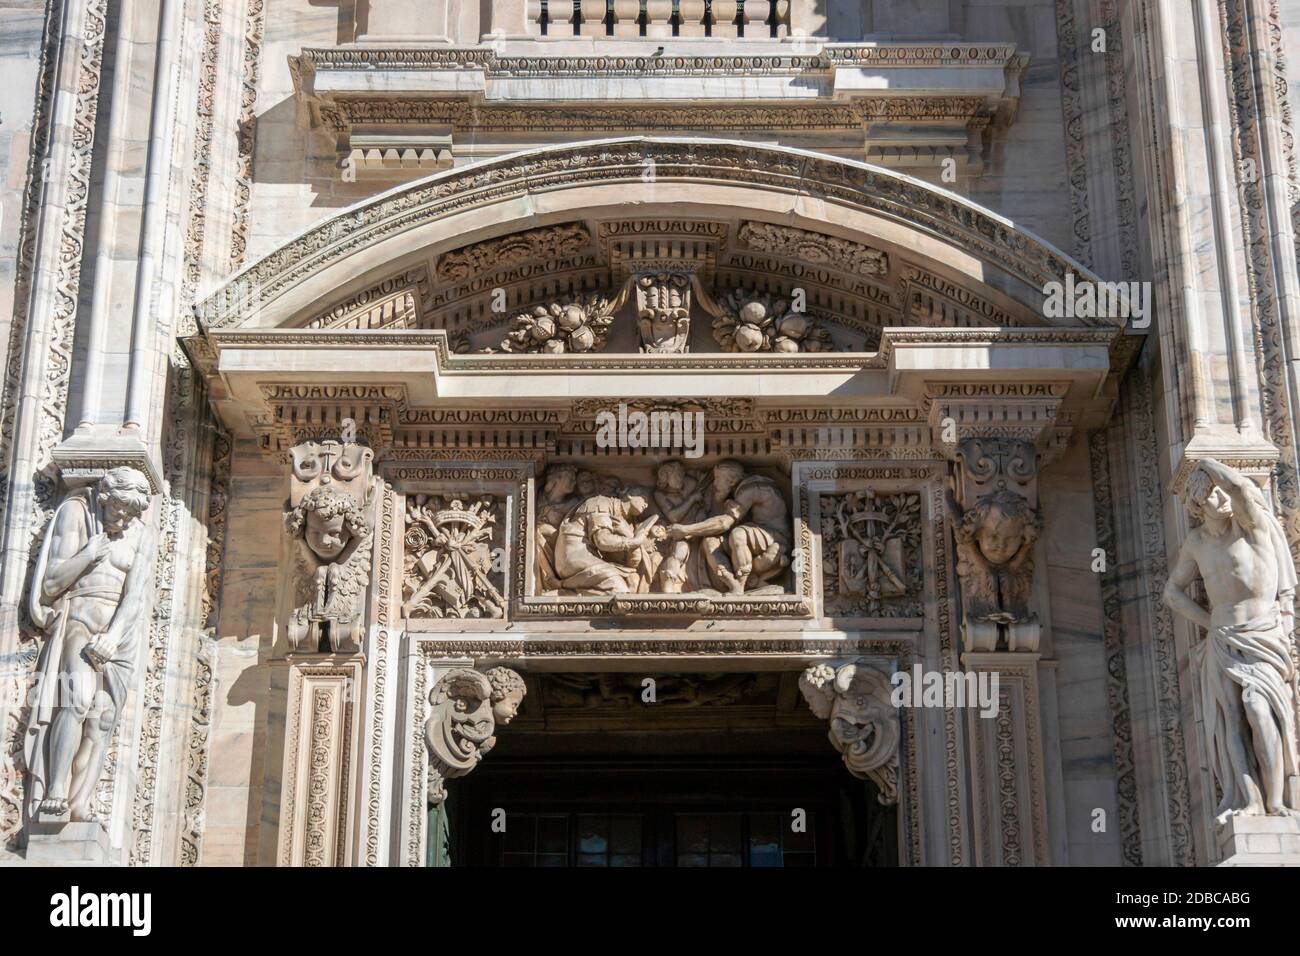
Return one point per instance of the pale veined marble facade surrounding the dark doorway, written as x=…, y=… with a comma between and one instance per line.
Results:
x=375, y=371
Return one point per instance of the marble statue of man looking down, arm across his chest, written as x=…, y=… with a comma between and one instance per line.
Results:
x=89, y=596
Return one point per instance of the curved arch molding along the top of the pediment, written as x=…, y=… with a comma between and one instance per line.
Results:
x=523, y=191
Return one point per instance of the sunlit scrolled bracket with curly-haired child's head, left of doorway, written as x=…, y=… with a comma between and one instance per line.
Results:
x=331, y=534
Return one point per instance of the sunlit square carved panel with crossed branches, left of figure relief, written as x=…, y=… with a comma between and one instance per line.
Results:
x=448, y=566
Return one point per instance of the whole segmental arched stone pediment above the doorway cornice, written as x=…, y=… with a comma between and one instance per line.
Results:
x=471, y=249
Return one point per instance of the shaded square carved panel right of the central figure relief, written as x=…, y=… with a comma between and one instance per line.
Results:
x=872, y=555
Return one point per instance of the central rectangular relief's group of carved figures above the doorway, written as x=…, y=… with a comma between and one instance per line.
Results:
x=712, y=533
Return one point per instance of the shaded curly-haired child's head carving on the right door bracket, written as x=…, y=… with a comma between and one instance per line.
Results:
x=995, y=564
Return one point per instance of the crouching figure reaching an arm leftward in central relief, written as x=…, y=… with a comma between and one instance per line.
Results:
x=747, y=539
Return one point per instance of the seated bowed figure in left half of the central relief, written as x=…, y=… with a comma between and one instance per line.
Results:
x=600, y=551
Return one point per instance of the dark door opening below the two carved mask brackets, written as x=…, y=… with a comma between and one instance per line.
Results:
x=669, y=812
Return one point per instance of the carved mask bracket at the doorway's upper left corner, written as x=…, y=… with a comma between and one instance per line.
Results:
x=467, y=706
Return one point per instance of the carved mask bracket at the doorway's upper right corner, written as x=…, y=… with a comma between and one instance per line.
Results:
x=855, y=698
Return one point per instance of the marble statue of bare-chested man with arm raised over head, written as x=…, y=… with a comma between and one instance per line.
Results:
x=1247, y=677
